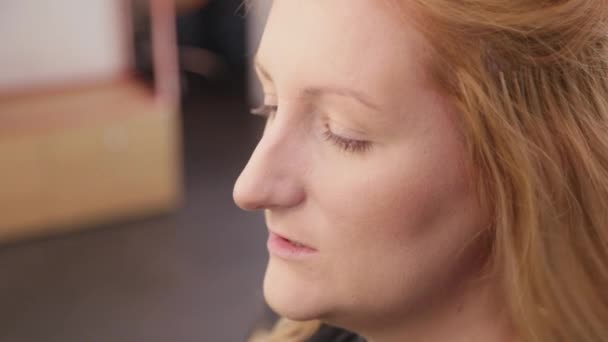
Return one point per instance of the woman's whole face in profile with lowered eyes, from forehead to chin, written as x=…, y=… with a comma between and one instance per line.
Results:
x=362, y=162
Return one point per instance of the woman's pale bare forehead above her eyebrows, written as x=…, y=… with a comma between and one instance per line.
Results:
x=360, y=43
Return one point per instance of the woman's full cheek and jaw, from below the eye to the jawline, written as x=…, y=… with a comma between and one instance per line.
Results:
x=403, y=225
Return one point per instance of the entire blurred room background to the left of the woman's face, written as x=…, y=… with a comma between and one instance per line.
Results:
x=123, y=126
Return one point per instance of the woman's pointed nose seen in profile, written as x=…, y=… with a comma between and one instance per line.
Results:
x=272, y=177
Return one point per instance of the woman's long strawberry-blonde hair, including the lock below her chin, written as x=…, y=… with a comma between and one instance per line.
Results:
x=530, y=78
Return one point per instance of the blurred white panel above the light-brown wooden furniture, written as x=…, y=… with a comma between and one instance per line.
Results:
x=49, y=42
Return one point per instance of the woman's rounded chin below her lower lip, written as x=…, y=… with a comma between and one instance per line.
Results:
x=291, y=294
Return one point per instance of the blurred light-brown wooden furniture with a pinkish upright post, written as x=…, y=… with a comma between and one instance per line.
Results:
x=74, y=155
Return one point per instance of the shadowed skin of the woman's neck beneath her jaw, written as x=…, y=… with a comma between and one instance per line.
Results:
x=473, y=313
